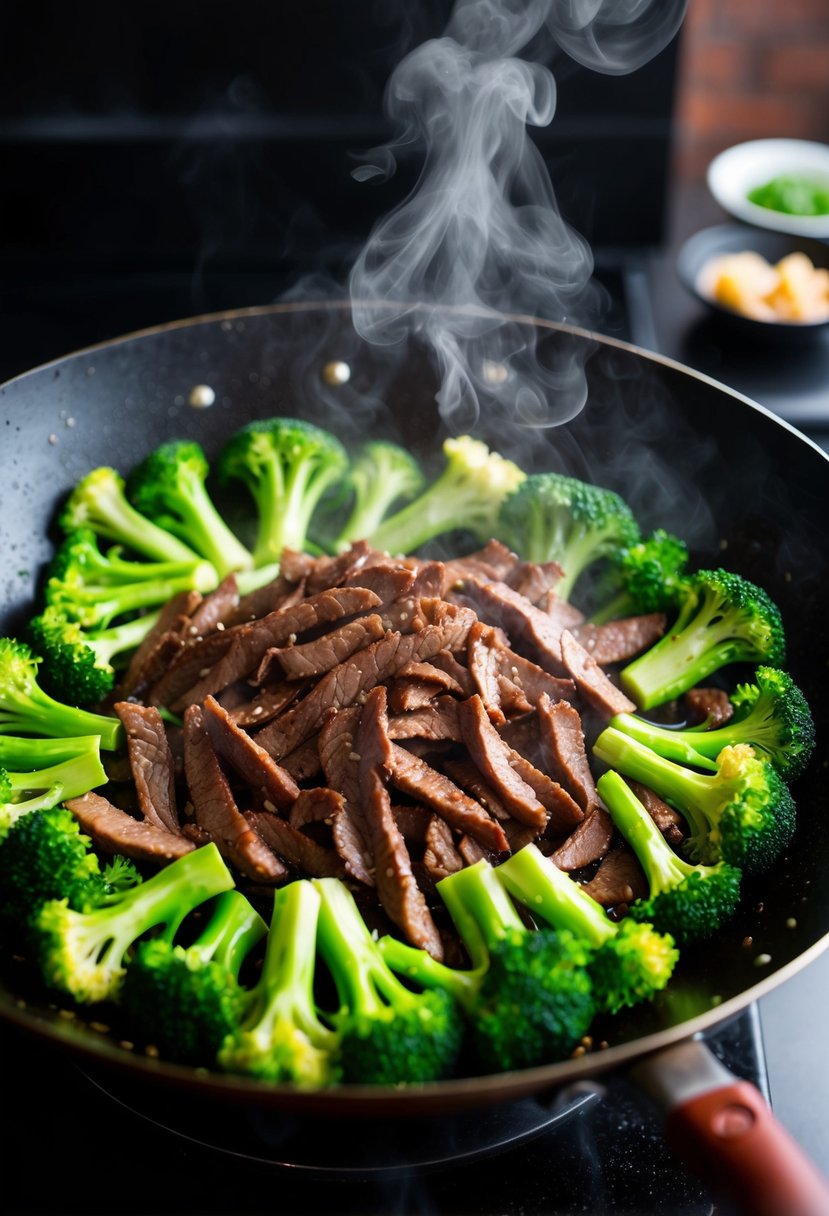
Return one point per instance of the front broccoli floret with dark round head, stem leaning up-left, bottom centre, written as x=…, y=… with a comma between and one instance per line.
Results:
x=387, y=1034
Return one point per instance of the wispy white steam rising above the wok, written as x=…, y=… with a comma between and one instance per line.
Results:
x=482, y=235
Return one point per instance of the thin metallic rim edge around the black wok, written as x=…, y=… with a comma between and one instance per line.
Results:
x=452, y=1095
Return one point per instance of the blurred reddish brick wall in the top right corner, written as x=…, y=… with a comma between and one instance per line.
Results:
x=751, y=70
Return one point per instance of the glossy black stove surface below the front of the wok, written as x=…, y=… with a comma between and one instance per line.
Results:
x=83, y=1145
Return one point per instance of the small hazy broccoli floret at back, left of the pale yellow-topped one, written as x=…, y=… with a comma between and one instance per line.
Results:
x=382, y=474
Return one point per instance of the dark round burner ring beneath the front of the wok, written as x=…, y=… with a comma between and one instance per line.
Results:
x=356, y=1149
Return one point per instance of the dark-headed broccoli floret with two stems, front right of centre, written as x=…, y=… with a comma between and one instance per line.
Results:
x=528, y=998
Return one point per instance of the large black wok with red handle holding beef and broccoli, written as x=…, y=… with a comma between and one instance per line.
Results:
x=740, y=486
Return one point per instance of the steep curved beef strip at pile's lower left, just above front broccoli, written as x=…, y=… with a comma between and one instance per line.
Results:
x=215, y=809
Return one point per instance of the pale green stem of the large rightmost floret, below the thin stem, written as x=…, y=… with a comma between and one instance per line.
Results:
x=697, y=796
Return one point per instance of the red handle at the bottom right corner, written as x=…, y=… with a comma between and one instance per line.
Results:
x=731, y=1139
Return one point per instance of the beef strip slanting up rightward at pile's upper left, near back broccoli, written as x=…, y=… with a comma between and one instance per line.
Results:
x=250, y=643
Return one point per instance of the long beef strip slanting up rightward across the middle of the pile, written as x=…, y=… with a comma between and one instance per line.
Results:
x=345, y=684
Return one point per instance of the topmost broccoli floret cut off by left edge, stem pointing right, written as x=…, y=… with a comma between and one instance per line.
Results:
x=26, y=708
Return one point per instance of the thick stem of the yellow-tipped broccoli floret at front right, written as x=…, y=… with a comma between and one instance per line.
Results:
x=545, y=890
